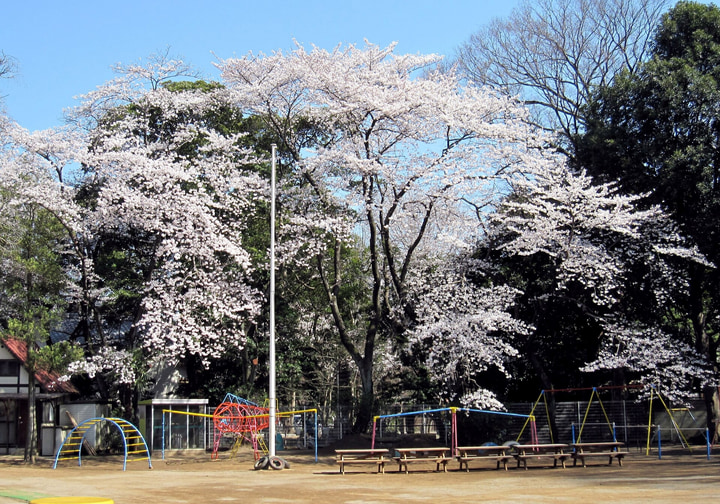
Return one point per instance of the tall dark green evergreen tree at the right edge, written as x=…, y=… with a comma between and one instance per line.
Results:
x=658, y=133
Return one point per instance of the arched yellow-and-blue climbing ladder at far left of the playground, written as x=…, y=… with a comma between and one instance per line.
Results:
x=133, y=441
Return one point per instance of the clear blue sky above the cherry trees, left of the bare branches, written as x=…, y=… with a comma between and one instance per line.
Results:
x=66, y=48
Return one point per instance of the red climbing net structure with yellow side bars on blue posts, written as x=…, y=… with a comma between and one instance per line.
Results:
x=237, y=421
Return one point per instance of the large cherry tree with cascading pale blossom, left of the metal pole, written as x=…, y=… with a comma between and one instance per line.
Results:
x=140, y=178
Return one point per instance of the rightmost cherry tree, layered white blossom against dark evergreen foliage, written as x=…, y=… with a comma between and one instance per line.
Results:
x=622, y=270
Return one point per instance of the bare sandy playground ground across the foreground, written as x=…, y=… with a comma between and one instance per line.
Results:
x=684, y=478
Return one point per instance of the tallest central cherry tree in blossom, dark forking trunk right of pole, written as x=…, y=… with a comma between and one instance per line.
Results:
x=384, y=147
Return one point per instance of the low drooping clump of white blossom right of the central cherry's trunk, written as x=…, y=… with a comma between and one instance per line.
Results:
x=464, y=329
